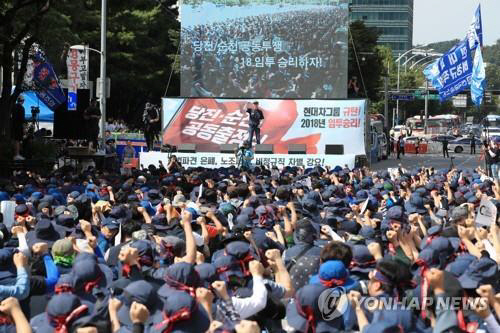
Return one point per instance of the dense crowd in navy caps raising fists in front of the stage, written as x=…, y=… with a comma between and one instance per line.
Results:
x=222, y=250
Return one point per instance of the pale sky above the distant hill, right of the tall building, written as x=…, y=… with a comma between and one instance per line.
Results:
x=440, y=20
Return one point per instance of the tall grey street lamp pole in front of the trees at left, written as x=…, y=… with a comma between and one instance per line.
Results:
x=102, y=52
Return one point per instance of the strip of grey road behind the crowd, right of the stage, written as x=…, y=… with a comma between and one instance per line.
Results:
x=437, y=161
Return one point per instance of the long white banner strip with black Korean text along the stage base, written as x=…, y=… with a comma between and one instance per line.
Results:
x=218, y=160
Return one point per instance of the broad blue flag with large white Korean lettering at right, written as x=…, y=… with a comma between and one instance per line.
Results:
x=451, y=73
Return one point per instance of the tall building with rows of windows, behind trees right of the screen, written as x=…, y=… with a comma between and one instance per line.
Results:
x=393, y=18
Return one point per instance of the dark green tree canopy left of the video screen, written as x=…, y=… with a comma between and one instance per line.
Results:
x=142, y=43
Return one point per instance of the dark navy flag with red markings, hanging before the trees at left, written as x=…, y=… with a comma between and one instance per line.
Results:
x=46, y=82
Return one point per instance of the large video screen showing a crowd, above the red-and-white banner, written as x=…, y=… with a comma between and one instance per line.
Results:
x=320, y=35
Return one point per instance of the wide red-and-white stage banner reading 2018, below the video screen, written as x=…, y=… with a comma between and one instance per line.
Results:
x=315, y=123
